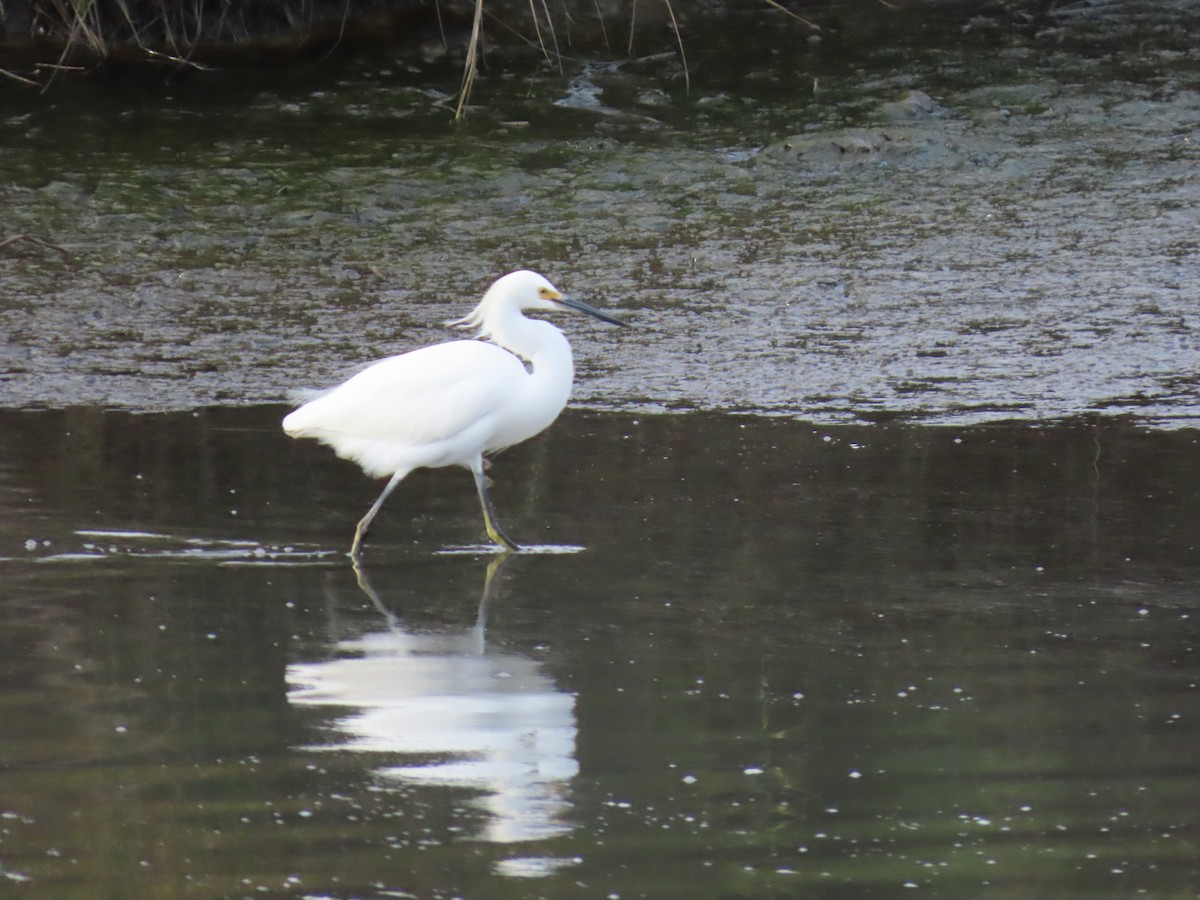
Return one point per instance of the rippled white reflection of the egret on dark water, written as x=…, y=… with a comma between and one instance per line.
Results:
x=494, y=721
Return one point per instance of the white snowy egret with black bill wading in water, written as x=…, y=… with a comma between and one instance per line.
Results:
x=452, y=404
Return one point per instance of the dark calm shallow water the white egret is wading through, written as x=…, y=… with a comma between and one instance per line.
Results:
x=745, y=658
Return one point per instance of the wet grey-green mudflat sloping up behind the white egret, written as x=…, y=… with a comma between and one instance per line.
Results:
x=820, y=243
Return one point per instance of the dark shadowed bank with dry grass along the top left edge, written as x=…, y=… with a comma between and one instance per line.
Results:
x=46, y=43
